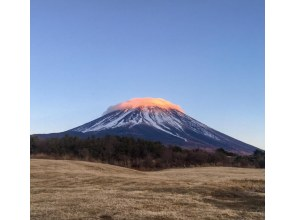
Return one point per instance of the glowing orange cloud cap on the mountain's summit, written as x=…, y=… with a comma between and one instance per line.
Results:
x=144, y=102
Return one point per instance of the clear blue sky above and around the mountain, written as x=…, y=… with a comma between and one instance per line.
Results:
x=206, y=56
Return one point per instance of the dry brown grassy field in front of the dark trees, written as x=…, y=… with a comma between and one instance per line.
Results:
x=64, y=189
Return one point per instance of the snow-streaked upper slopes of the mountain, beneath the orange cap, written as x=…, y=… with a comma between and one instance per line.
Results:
x=168, y=120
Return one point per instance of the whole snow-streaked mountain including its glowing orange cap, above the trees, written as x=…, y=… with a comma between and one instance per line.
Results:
x=159, y=120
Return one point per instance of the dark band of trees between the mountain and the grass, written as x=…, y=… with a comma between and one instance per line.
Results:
x=137, y=153
